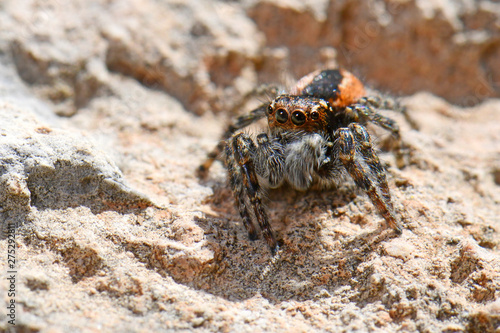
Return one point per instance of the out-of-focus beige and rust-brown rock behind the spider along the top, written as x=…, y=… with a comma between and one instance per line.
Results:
x=207, y=53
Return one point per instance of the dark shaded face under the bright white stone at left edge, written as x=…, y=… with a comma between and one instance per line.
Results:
x=62, y=186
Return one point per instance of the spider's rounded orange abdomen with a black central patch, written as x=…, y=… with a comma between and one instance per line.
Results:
x=337, y=86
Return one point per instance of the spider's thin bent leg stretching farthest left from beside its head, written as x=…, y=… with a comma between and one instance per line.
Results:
x=240, y=122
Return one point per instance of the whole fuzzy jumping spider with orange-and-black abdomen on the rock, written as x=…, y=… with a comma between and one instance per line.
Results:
x=315, y=134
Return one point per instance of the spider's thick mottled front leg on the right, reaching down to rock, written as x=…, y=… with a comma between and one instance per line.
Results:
x=359, y=159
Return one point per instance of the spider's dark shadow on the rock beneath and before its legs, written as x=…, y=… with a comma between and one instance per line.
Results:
x=308, y=263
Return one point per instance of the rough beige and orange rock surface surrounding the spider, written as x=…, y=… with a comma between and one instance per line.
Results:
x=107, y=108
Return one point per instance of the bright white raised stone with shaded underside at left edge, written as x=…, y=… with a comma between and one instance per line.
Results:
x=45, y=167
